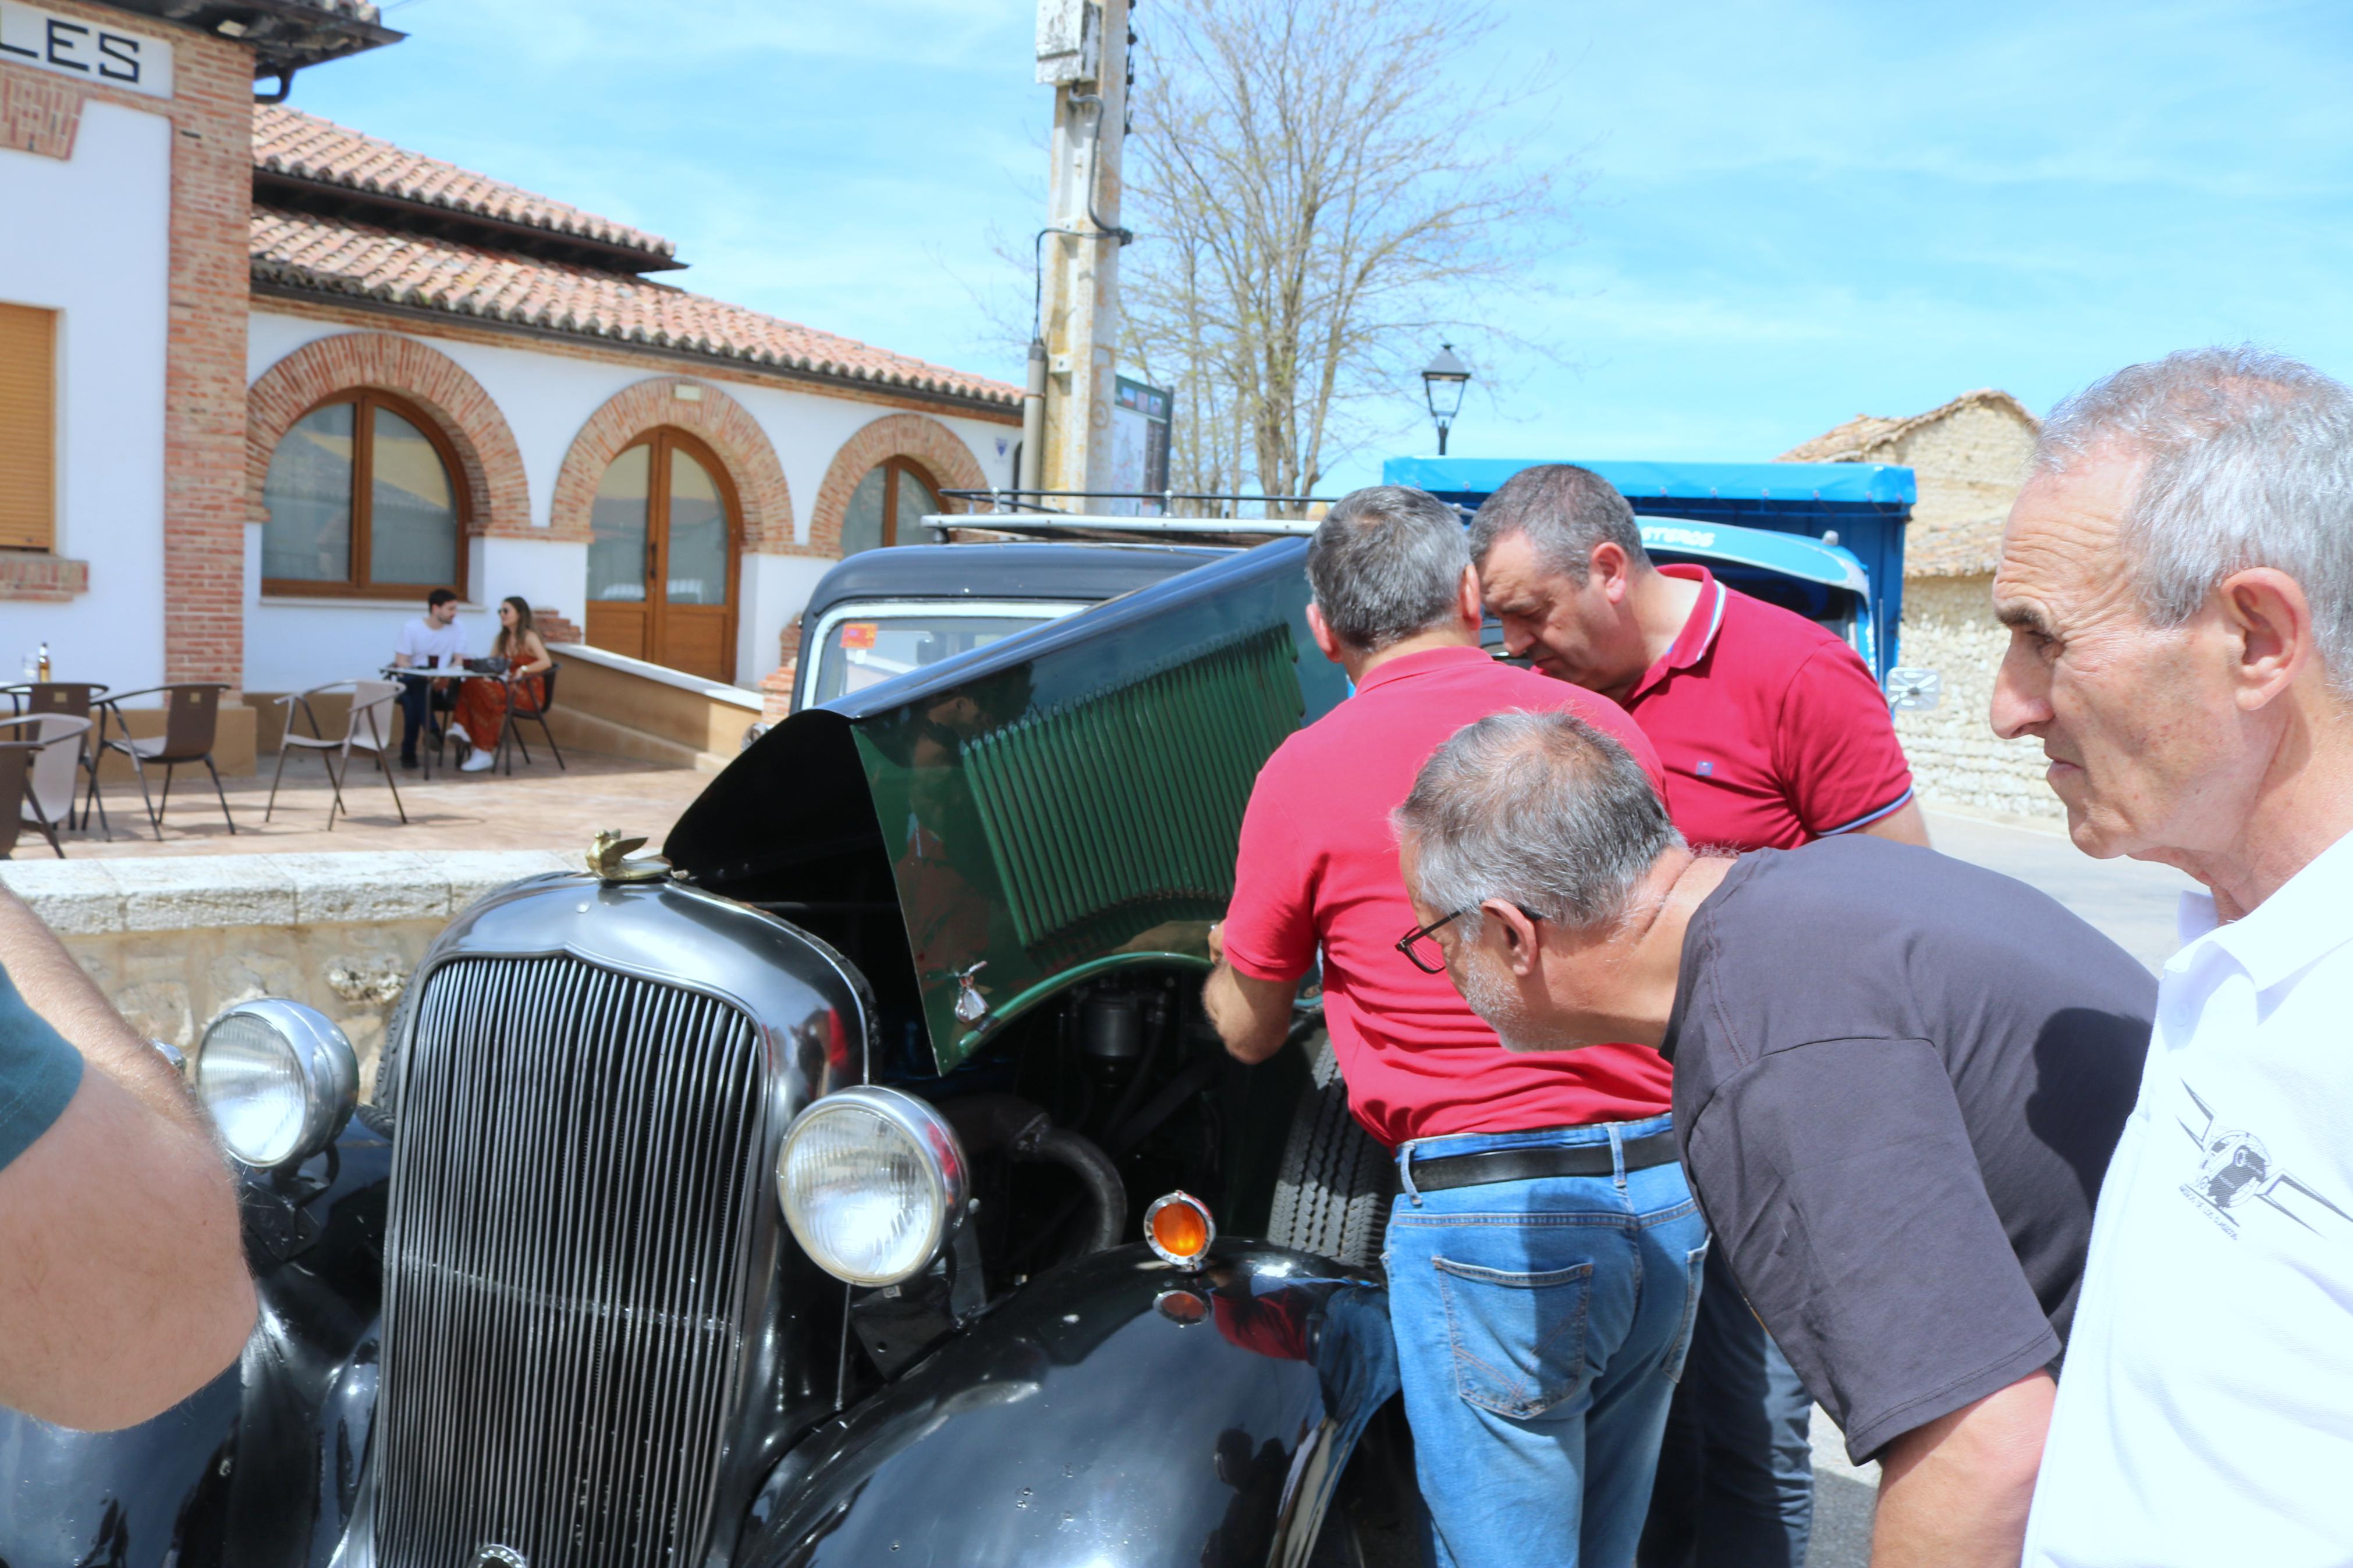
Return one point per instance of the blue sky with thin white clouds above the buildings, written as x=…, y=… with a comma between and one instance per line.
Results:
x=1789, y=215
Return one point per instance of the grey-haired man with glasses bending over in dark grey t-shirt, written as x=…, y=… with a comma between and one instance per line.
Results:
x=1898, y=1085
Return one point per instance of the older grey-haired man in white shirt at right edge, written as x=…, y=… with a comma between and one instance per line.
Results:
x=2178, y=577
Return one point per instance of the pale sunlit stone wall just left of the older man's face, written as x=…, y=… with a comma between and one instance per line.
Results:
x=1954, y=753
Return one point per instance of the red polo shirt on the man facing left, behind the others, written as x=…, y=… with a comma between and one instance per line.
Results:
x=1771, y=728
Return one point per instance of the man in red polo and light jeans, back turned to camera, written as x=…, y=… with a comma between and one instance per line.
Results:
x=1545, y=1252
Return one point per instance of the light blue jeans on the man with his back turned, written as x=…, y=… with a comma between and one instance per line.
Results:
x=1540, y=1336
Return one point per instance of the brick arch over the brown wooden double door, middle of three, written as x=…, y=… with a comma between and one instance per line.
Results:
x=716, y=420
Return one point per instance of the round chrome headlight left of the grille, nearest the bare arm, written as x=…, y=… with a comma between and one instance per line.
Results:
x=279, y=1080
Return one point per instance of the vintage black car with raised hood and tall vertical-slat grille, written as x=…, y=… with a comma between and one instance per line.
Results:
x=787, y=1202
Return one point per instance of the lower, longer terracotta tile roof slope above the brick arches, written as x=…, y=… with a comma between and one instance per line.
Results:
x=309, y=253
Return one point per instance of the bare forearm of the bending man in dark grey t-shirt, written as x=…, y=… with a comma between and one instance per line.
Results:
x=1957, y=1492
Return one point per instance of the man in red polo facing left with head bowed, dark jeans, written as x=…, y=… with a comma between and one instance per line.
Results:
x=1773, y=735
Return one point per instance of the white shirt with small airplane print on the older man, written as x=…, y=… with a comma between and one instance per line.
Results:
x=2206, y=1409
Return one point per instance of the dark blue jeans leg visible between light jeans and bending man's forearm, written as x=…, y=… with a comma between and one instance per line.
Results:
x=1738, y=1468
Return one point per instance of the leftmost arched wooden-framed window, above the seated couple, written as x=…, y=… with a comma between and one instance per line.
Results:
x=364, y=500
